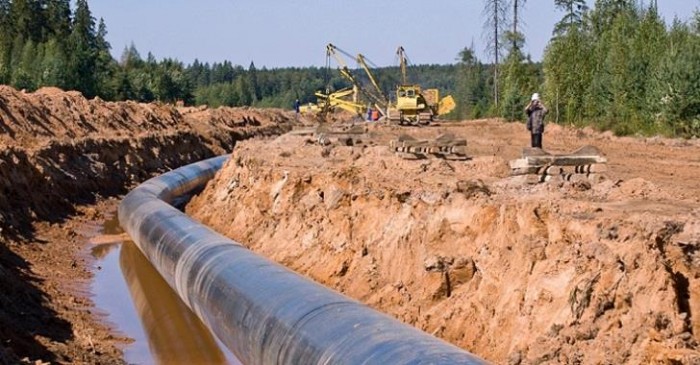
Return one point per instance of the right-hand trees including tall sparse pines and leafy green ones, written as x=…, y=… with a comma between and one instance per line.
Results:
x=616, y=65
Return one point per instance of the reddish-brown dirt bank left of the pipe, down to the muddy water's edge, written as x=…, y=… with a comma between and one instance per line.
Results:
x=60, y=152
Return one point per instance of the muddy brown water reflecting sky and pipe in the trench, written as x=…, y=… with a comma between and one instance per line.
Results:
x=142, y=306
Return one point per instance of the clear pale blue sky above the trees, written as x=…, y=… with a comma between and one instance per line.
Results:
x=281, y=33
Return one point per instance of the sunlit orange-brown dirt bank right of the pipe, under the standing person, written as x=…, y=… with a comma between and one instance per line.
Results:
x=562, y=272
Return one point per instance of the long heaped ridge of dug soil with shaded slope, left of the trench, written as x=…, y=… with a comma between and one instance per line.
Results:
x=58, y=147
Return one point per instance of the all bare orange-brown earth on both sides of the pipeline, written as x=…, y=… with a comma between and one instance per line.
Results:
x=603, y=270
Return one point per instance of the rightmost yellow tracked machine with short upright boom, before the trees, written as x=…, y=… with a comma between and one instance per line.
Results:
x=414, y=105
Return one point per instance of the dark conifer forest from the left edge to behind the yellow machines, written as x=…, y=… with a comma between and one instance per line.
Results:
x=46, y=43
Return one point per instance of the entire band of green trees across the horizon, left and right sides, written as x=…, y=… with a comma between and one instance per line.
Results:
x=616, y=65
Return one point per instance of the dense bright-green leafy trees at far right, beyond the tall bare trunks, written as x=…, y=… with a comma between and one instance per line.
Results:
x=621, y=67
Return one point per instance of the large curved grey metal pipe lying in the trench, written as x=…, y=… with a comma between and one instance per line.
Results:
x=263, y=312
